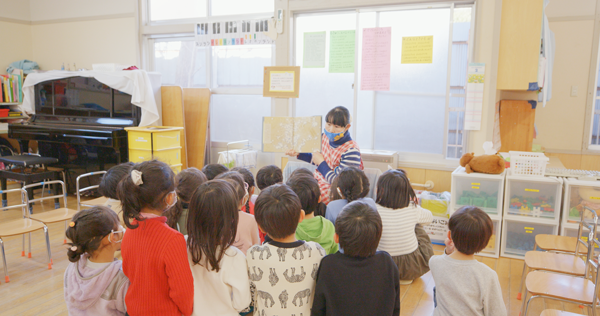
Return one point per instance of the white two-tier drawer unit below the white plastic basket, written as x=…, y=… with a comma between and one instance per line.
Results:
x=531, y=207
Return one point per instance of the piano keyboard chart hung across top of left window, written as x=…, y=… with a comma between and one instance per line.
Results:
x=241, y=32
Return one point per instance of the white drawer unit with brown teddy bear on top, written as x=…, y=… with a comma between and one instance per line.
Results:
x=485, y=191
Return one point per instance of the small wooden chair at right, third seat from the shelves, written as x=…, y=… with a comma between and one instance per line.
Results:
x=565, y=288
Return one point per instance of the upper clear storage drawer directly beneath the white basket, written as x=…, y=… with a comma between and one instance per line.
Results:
x=529, y=197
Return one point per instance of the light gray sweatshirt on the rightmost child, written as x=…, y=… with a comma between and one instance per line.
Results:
x=466, y=288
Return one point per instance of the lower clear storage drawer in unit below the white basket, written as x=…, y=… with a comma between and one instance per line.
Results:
x=518, y=236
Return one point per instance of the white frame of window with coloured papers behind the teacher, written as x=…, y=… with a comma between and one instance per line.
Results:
x=409, y=156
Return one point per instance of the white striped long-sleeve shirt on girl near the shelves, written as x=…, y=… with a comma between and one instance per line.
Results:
x=398, y=236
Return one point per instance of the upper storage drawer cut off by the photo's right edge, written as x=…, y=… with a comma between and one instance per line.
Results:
x=579, y=193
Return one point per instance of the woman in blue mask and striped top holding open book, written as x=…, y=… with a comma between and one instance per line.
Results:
x=338, y=150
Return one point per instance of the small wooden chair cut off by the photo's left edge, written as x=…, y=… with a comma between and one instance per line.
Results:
x=21, y=226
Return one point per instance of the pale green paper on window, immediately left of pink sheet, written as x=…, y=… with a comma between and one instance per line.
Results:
x=341, y=51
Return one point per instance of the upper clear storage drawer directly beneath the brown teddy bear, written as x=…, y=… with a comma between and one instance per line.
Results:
x=478, y=189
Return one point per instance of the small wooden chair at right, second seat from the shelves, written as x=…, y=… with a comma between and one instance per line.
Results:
x=569, y=264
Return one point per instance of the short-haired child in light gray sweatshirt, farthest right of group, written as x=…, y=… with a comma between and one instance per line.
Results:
x=465, y=286
